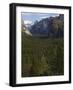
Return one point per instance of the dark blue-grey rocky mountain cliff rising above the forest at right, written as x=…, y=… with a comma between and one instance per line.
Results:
x=49, y=27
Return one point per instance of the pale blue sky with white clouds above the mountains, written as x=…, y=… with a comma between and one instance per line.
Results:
x=30, y=18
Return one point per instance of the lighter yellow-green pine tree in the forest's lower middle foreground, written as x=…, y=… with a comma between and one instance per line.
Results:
x=40, y=66
